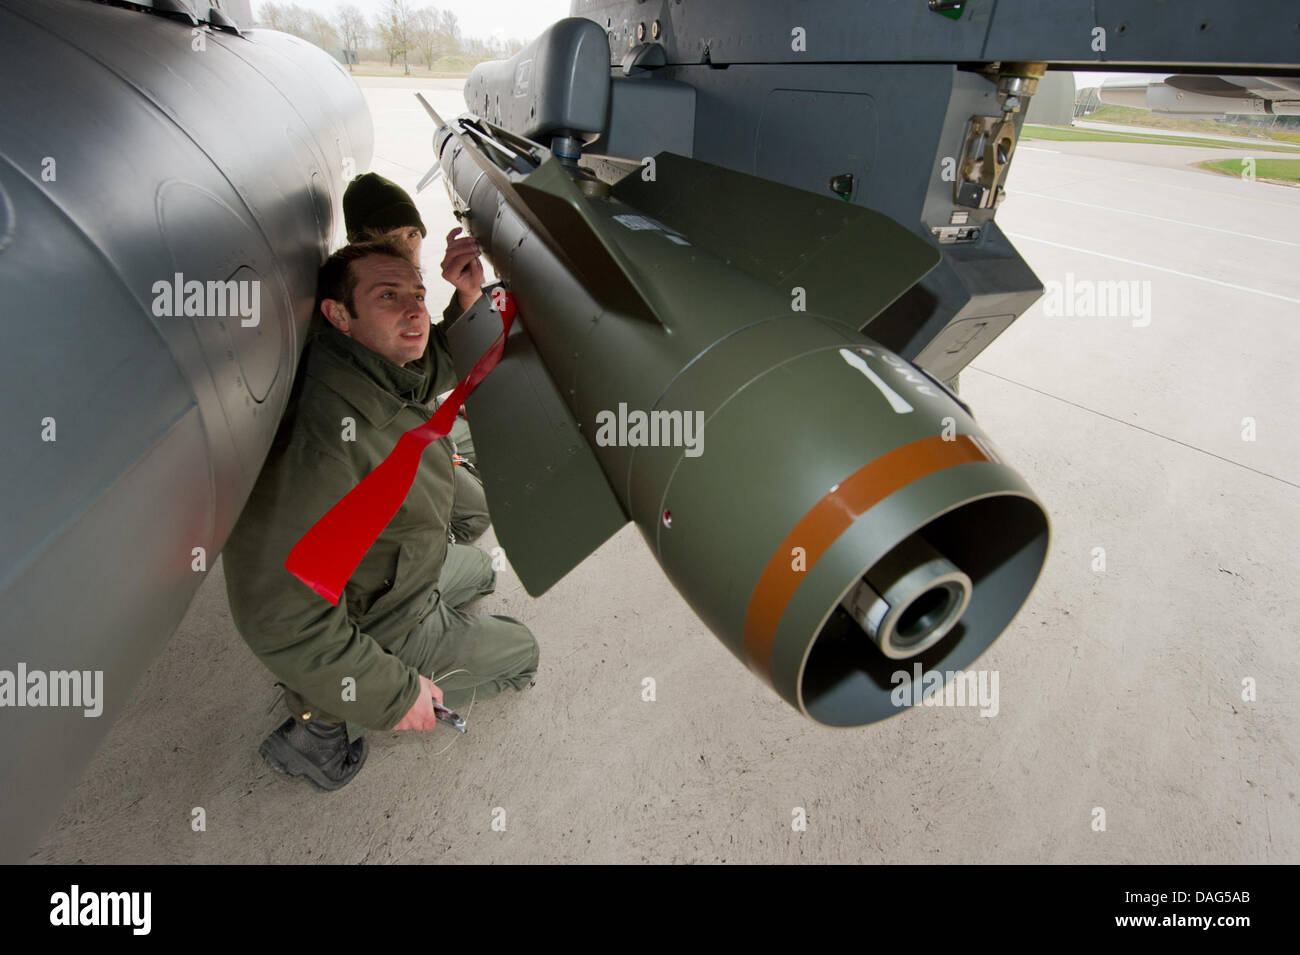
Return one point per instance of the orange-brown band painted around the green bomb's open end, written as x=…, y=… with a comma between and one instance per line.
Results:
x=834, y=515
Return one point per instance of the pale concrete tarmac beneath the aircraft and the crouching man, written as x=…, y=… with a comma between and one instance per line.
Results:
x=1147, y=707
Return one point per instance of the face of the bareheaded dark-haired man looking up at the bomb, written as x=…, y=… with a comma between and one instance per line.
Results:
x=389, y=316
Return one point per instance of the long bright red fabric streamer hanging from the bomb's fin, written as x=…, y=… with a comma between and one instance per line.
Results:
x=330, y=553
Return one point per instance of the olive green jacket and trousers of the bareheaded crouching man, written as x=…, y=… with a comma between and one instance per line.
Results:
x=400, y=614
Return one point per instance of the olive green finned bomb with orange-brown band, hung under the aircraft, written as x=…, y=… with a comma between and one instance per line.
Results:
x=687, y=357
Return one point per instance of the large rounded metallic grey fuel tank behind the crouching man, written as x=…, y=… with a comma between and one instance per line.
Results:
x=167, y=197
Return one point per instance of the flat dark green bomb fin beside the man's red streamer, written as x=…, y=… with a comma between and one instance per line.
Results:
x=551, y=503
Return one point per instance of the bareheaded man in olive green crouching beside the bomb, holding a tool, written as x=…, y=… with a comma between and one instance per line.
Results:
x=398, y=641
